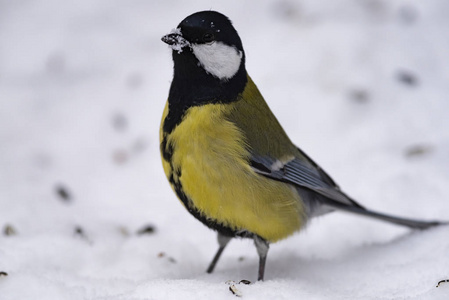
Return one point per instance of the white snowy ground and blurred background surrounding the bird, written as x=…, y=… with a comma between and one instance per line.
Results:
x=361, y=85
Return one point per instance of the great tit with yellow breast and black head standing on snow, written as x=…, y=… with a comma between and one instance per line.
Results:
x=225, y=154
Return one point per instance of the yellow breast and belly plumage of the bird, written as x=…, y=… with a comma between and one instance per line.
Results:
x=211, y=156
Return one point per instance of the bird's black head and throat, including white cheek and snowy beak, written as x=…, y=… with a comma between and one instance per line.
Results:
x=209, y=64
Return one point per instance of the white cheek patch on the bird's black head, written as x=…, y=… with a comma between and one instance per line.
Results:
x=218, y=59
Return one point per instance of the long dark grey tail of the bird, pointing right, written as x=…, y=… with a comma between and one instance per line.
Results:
x=415, y=224
